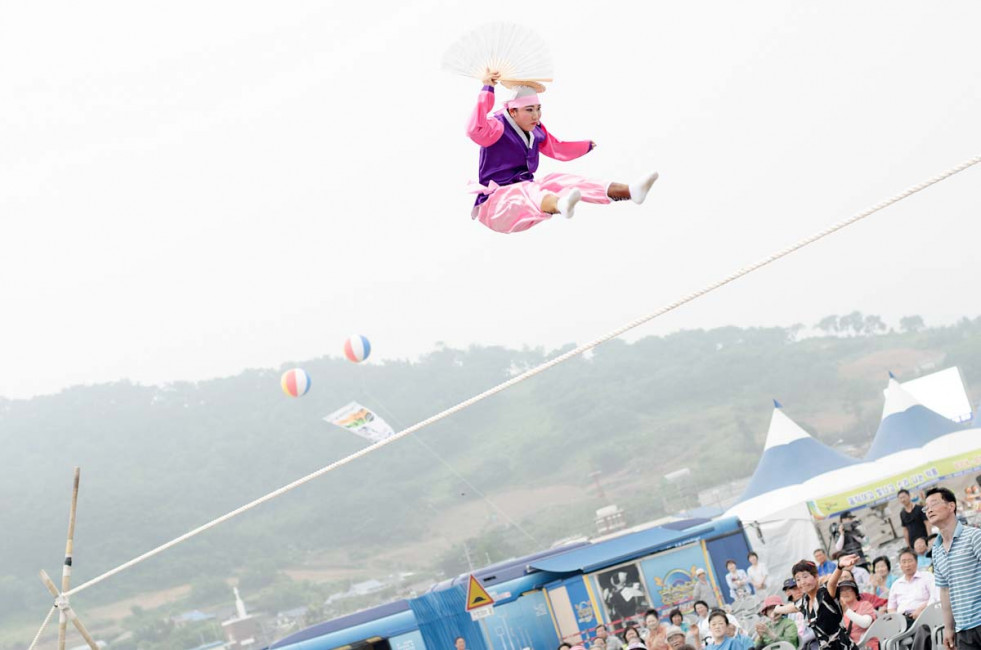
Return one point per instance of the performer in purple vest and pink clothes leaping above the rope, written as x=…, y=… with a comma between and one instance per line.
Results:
x=509, y=198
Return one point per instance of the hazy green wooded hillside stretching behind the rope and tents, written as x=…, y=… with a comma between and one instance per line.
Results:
x=159, y=461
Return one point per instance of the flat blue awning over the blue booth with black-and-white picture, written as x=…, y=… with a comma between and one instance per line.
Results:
x=630, y=546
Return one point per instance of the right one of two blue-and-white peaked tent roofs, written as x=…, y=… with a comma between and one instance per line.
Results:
x=906, y=424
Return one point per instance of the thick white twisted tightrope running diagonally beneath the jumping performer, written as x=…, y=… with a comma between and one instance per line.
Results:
x=536, y=370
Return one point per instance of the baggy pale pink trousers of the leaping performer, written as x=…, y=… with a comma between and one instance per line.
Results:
x=517, y=207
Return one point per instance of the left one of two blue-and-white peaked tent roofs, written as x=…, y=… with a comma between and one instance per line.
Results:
x=790, y=457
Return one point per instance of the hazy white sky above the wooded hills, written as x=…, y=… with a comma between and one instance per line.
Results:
x=188, y=189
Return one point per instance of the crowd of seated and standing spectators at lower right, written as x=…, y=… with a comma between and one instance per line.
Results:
x=829, y=603
